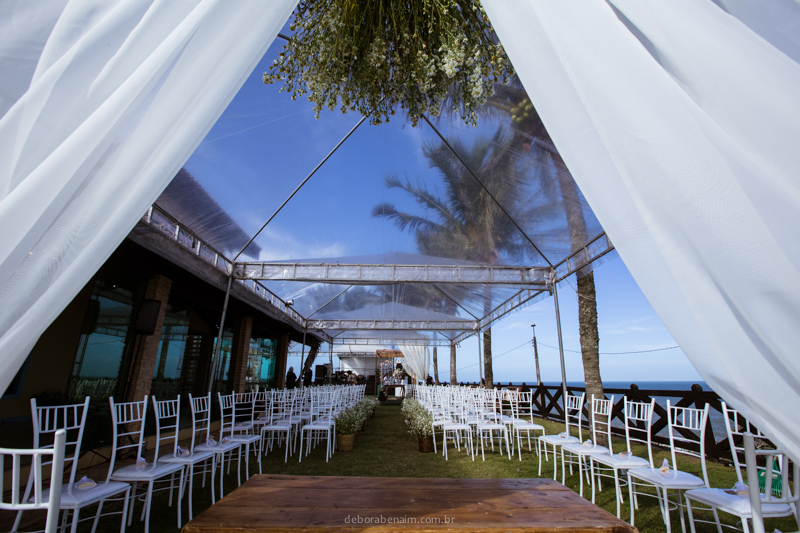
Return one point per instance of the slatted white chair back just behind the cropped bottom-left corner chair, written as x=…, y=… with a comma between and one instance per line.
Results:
x=49, y=420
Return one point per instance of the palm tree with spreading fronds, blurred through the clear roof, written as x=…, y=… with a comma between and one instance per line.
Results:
x=468, y=224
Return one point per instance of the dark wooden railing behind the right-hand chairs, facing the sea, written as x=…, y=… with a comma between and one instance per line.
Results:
x=547, y=403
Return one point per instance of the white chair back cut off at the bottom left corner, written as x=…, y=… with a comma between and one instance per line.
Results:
x=11, y=498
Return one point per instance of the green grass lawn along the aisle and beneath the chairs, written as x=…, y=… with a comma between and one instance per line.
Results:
x=385, y=449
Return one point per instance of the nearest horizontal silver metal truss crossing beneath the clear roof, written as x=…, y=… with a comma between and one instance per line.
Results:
x=367, y=274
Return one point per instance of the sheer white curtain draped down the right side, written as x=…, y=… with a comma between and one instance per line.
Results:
x=681, y=124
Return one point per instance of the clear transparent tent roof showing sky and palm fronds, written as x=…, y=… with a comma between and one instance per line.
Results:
x=439, y=194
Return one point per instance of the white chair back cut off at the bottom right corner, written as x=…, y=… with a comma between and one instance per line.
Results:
x=789, y=494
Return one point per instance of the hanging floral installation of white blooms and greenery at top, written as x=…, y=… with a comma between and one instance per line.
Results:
x=373, y=55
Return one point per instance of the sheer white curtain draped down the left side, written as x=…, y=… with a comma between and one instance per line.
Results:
x=102, y=101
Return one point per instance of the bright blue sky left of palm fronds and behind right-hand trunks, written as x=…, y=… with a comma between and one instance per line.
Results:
x=265, y=144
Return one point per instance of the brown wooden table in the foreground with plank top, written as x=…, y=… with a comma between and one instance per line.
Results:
x=272, y=503
